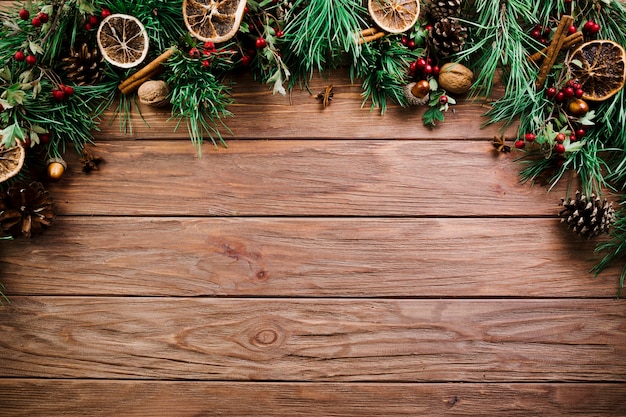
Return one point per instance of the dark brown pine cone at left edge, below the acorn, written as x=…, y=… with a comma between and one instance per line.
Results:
x=26, y=209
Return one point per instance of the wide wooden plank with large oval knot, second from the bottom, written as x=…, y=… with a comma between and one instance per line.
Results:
x=506, y=340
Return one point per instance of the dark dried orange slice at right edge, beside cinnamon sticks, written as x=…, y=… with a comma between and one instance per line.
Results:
x=600, y=68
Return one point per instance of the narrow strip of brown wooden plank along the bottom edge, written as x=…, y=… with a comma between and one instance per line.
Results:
x=84, y=398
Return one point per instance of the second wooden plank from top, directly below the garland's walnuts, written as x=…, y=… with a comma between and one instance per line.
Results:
x=303, y=178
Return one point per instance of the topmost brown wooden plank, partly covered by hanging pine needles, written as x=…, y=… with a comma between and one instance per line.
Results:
x=257, y=114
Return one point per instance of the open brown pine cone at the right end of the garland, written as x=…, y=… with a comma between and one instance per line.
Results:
x=588, y=217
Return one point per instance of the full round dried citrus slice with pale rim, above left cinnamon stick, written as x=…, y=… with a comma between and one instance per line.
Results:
x=122, y=40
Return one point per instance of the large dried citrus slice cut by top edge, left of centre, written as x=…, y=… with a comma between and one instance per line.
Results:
x=213, y=20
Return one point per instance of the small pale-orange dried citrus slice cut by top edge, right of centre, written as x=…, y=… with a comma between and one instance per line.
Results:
x=394, y=16
